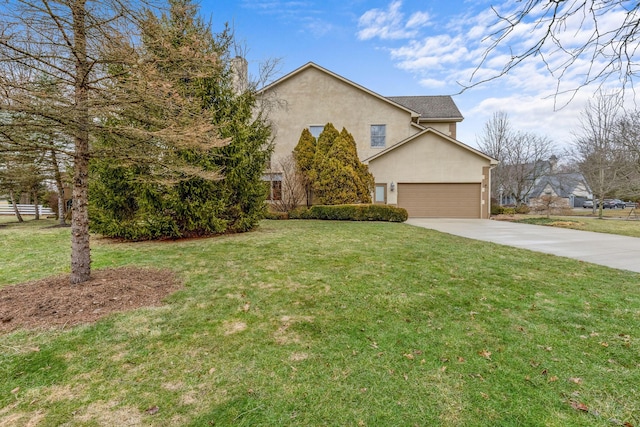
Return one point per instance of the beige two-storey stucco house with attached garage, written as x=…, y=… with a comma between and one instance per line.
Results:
x=408, y=142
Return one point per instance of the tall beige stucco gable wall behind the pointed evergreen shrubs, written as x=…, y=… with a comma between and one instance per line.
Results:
x=314, y=98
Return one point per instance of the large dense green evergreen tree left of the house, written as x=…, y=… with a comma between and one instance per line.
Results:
x=139, y=201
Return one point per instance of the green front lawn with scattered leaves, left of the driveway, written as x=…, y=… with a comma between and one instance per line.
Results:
x=373, y=324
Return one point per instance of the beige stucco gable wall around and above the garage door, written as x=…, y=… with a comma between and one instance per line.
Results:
x=429, y=158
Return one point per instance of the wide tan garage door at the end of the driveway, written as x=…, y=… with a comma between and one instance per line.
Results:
x=440, y=200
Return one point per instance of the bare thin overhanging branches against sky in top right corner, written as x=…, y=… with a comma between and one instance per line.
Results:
x=569, y=34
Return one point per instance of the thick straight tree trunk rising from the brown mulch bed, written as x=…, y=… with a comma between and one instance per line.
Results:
x=80, y=250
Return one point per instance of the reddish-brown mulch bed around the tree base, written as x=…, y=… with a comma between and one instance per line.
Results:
x=55, y=302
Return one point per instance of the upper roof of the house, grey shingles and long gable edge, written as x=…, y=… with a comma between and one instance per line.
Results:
x=423, y=108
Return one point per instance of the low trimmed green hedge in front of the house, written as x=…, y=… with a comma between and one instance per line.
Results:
x=360, y=212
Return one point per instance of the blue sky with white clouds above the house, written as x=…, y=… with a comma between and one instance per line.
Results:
x=401, y=47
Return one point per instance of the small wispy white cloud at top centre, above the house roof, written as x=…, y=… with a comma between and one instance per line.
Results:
x=389, y=24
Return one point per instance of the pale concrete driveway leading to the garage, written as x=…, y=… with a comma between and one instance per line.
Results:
x=605, y=249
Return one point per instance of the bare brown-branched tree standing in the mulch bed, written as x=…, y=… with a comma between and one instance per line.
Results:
x=102, y=82
